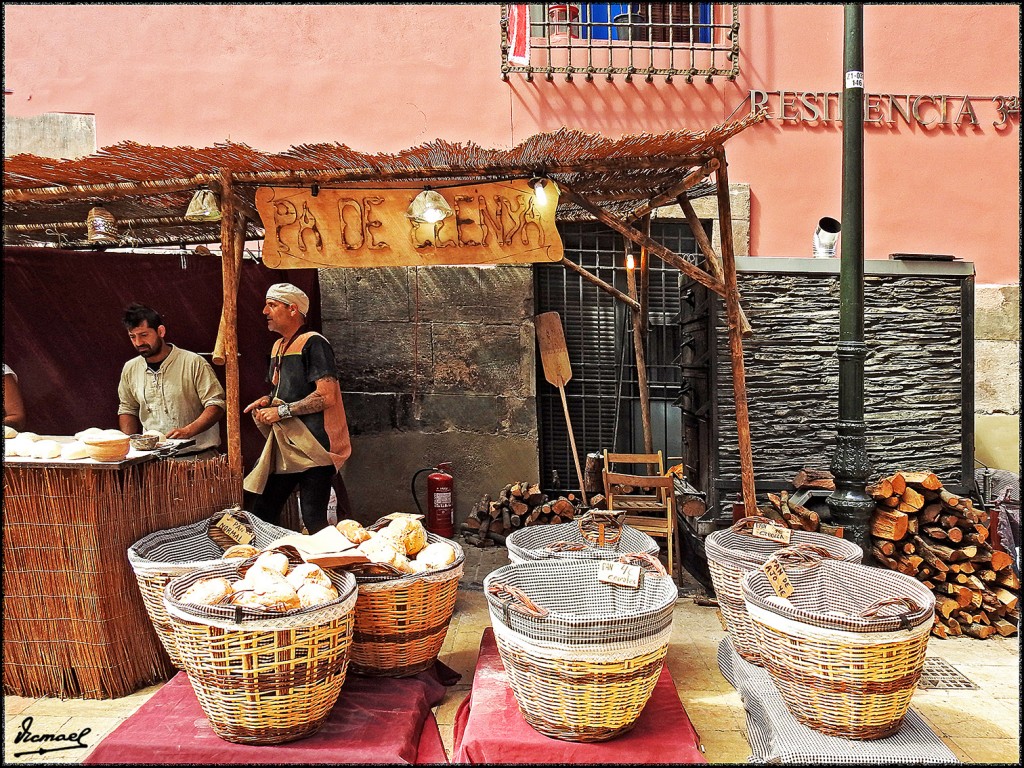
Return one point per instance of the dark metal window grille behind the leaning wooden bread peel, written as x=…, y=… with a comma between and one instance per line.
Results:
x=603, y=396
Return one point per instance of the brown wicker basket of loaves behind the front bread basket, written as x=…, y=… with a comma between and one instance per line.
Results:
x=407, y=595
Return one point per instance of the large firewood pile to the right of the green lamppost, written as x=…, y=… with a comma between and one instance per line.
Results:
x=922, y=530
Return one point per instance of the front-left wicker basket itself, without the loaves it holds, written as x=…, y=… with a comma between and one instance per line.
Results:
x=264, y=678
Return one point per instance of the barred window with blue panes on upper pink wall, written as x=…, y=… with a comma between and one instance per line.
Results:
x=633, y=39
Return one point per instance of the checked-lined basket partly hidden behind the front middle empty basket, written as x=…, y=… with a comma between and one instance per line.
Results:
x=593, y=536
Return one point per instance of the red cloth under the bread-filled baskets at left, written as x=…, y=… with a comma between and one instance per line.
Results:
x=376, y=720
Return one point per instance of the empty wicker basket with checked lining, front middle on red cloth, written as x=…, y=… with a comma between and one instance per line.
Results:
x=582, y=656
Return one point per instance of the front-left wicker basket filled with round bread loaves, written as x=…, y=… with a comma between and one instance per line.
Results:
x=266, y=642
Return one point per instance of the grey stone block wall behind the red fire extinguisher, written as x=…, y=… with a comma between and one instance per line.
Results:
x=437, y=364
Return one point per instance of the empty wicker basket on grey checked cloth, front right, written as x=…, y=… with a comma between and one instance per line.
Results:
x=847, y=648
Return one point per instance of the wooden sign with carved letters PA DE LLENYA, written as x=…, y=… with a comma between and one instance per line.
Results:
x=493, y=224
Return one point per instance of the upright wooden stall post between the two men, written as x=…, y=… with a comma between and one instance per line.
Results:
x=230, y=279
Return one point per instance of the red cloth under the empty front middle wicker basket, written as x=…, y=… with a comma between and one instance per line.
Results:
x=490, y=729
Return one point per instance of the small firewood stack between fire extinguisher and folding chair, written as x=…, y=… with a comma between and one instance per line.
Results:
x=518, y=505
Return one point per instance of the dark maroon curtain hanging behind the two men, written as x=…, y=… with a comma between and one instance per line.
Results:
x=64, y=338
